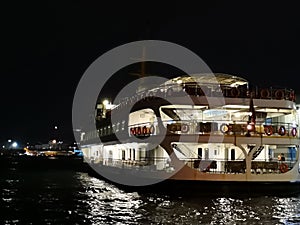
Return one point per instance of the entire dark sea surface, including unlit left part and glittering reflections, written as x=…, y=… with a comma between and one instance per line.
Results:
x=51, y=192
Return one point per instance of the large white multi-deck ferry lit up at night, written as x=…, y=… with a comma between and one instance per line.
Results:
x=231, y=133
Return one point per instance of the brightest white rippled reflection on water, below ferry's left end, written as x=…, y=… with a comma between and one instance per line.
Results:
x=107, y=204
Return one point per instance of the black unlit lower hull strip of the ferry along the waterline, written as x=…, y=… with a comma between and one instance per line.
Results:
x=223, y=188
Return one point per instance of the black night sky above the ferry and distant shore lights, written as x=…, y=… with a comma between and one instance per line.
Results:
x=47, y=46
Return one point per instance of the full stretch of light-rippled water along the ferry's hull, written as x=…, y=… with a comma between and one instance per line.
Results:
x=110, y=205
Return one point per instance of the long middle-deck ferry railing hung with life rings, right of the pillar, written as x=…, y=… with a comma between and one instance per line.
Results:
x=237, y=127
